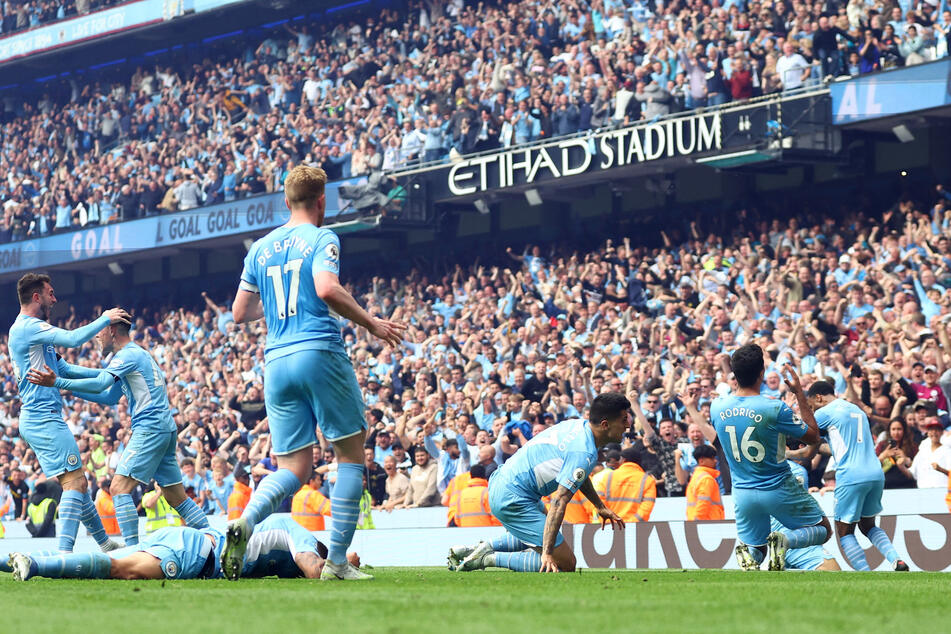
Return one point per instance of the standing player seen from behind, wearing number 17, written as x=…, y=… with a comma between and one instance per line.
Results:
x=290, y=279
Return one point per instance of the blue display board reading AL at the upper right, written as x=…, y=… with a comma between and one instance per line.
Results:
x=892, y=93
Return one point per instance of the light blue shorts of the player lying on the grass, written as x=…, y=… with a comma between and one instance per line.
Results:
x=185, y=552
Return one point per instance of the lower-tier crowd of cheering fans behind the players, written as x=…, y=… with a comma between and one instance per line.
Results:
x=495, y=353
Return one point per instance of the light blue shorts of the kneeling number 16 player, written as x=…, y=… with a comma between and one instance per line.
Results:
x=789, y=503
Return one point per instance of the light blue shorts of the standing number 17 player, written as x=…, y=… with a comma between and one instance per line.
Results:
x=308, y=388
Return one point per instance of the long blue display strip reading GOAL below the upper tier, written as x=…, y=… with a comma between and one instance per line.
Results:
x=121, y=238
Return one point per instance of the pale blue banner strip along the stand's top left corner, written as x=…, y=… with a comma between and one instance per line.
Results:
x=85, y=27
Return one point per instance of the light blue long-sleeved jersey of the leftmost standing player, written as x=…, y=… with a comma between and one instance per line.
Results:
x=32, y=344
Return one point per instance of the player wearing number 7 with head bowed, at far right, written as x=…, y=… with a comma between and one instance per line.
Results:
x=859, y=479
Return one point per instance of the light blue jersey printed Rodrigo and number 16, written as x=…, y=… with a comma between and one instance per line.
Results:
x=753, y=431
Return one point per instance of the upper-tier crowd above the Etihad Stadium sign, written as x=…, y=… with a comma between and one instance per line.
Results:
x=434, y=81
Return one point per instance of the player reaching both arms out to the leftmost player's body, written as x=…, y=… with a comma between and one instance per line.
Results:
x=151, y=451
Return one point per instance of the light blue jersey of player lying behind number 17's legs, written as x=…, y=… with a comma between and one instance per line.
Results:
x=275, y=543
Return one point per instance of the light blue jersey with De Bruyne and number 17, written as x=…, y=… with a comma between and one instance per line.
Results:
x=281, y=266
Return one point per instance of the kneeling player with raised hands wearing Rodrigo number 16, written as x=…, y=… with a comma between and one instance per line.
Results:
x=753, y=429
